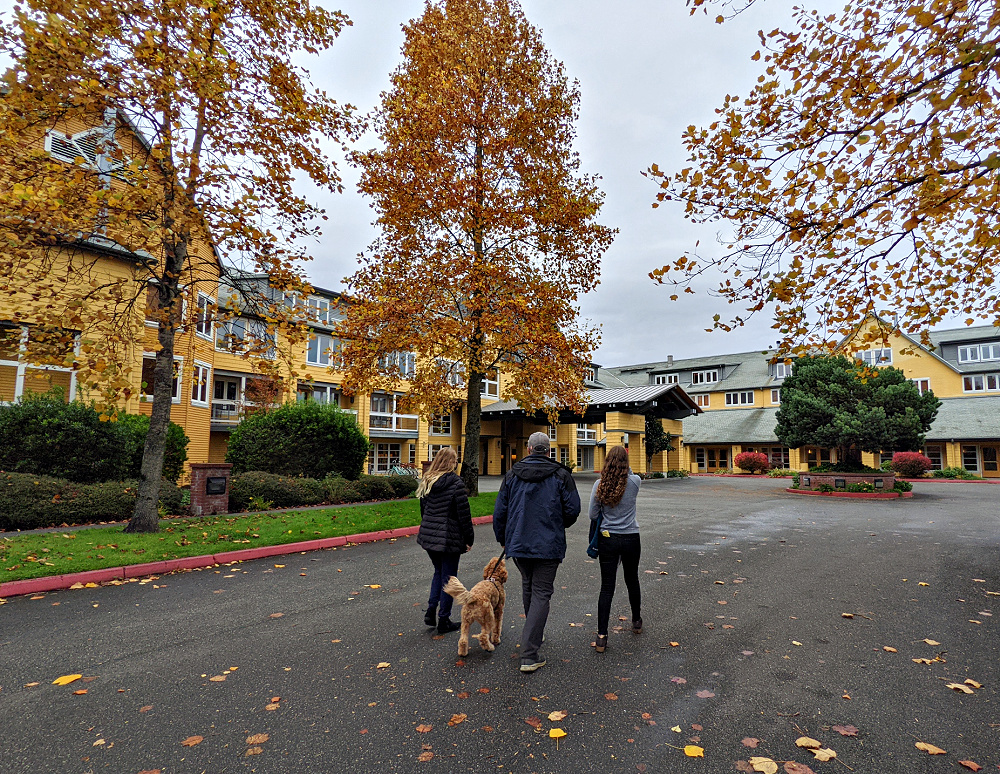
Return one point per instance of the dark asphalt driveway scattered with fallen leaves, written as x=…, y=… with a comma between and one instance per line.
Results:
x=751, y=583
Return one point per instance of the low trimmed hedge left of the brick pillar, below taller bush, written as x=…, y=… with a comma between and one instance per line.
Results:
x=32, y=502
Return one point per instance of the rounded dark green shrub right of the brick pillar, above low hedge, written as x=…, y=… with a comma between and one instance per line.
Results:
x=307, y=439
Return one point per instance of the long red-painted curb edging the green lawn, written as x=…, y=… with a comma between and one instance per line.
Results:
x=57, y=582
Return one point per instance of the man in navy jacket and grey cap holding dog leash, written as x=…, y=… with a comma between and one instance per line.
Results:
x=537, y=501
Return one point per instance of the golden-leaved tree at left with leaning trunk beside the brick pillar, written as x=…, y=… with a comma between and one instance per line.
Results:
x=203, y=119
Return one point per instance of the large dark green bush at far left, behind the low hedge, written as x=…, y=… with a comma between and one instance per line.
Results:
x=45, y=435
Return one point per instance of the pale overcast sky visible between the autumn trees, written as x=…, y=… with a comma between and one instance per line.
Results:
x=646, y=70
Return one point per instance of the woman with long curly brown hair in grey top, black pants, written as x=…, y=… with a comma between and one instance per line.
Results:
x=614, y=498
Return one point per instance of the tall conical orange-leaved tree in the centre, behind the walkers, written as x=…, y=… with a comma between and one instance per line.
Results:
x=487, y=227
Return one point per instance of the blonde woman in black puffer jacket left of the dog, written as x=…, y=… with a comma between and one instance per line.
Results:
x=445, y=532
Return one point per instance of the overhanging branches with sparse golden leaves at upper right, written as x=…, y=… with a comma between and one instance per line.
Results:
x=860, y=175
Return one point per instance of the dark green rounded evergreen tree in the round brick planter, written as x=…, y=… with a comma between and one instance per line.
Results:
x=837, y=402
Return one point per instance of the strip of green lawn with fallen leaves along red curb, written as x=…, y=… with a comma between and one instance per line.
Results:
x=58, y=553
